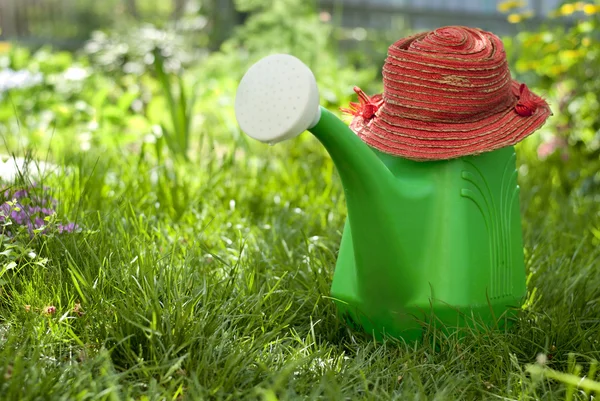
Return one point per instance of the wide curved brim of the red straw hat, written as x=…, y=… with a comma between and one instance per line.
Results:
x=427, y=140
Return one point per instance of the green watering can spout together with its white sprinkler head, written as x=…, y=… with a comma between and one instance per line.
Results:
x=372, y=252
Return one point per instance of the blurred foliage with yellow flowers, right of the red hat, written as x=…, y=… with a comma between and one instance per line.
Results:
x=560, y=61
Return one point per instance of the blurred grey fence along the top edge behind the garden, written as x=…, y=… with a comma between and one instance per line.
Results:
x=72, y=20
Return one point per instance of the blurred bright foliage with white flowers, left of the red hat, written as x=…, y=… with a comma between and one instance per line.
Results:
x=133, y=86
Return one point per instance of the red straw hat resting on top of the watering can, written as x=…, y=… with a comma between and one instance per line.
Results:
x=447, y=93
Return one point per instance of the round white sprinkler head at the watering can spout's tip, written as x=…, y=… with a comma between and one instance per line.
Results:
x=277, y=99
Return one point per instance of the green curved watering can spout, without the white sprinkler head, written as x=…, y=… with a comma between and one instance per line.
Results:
x=374, y=233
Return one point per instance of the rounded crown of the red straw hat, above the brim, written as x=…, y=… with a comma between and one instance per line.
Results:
x=447, y=75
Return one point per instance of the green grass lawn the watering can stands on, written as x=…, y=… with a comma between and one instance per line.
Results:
x=210, y=280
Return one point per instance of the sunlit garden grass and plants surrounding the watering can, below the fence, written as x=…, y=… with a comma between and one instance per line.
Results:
x=151, y=251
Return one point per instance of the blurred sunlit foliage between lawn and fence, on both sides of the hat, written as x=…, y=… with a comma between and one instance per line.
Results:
x=163, y=86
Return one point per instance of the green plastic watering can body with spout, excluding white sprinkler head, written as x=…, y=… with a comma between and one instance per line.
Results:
x=435, y=240
